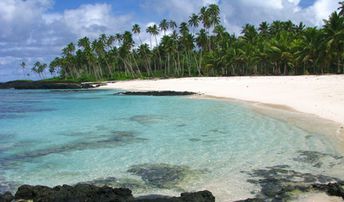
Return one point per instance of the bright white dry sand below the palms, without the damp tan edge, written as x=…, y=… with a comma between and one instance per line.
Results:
x=322, y=96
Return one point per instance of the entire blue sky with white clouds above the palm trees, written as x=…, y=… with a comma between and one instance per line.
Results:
x=37, y=30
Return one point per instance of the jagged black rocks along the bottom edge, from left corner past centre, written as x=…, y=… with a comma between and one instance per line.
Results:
x=90, y=193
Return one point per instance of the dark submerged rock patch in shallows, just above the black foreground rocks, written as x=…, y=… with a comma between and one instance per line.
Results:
x=163, y=176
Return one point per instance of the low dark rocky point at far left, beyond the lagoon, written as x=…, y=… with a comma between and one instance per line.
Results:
x=47, y=85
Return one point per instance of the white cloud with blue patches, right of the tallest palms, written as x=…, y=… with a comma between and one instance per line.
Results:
x=238, y=13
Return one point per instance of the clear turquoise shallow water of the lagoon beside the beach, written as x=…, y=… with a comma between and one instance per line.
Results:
x=160, y=145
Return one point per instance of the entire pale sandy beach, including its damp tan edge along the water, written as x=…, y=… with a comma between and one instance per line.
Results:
x=324, y=96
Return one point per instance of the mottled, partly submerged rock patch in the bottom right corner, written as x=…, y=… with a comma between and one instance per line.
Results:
x=279, y=183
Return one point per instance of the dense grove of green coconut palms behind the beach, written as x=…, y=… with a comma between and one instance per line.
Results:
x=202, y=47
